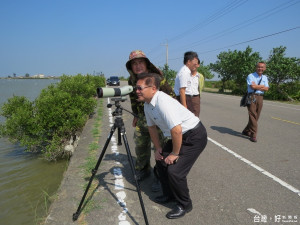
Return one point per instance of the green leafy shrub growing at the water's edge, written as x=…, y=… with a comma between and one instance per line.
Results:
x=46, y=124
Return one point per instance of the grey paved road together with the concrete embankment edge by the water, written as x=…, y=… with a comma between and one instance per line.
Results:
x=233, y=182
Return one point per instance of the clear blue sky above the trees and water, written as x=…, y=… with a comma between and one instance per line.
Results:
x=56, y=37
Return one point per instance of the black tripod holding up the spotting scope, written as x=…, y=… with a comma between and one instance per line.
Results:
x=121, y=131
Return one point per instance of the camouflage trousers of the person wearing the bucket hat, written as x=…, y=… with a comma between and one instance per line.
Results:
x=143, y=143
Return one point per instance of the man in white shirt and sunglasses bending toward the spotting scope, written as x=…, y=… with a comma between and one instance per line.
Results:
x=187, y=139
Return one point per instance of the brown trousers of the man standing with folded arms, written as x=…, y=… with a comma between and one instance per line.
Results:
x=254, y=110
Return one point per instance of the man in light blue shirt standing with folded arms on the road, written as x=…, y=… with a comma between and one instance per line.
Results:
x=257, y=85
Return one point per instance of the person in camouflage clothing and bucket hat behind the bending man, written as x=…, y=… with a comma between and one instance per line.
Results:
x=138, y=63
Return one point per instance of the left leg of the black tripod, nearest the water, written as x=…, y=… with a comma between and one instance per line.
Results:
x=94, y=171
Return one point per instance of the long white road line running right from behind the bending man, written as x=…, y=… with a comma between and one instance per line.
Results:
x=278, y=180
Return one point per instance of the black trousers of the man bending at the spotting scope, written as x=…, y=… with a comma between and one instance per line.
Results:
x=174, y=177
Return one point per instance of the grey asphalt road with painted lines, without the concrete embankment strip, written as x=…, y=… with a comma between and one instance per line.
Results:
x=234, y=181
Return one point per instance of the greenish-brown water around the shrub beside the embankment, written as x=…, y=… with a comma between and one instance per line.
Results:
x=26, y=180
